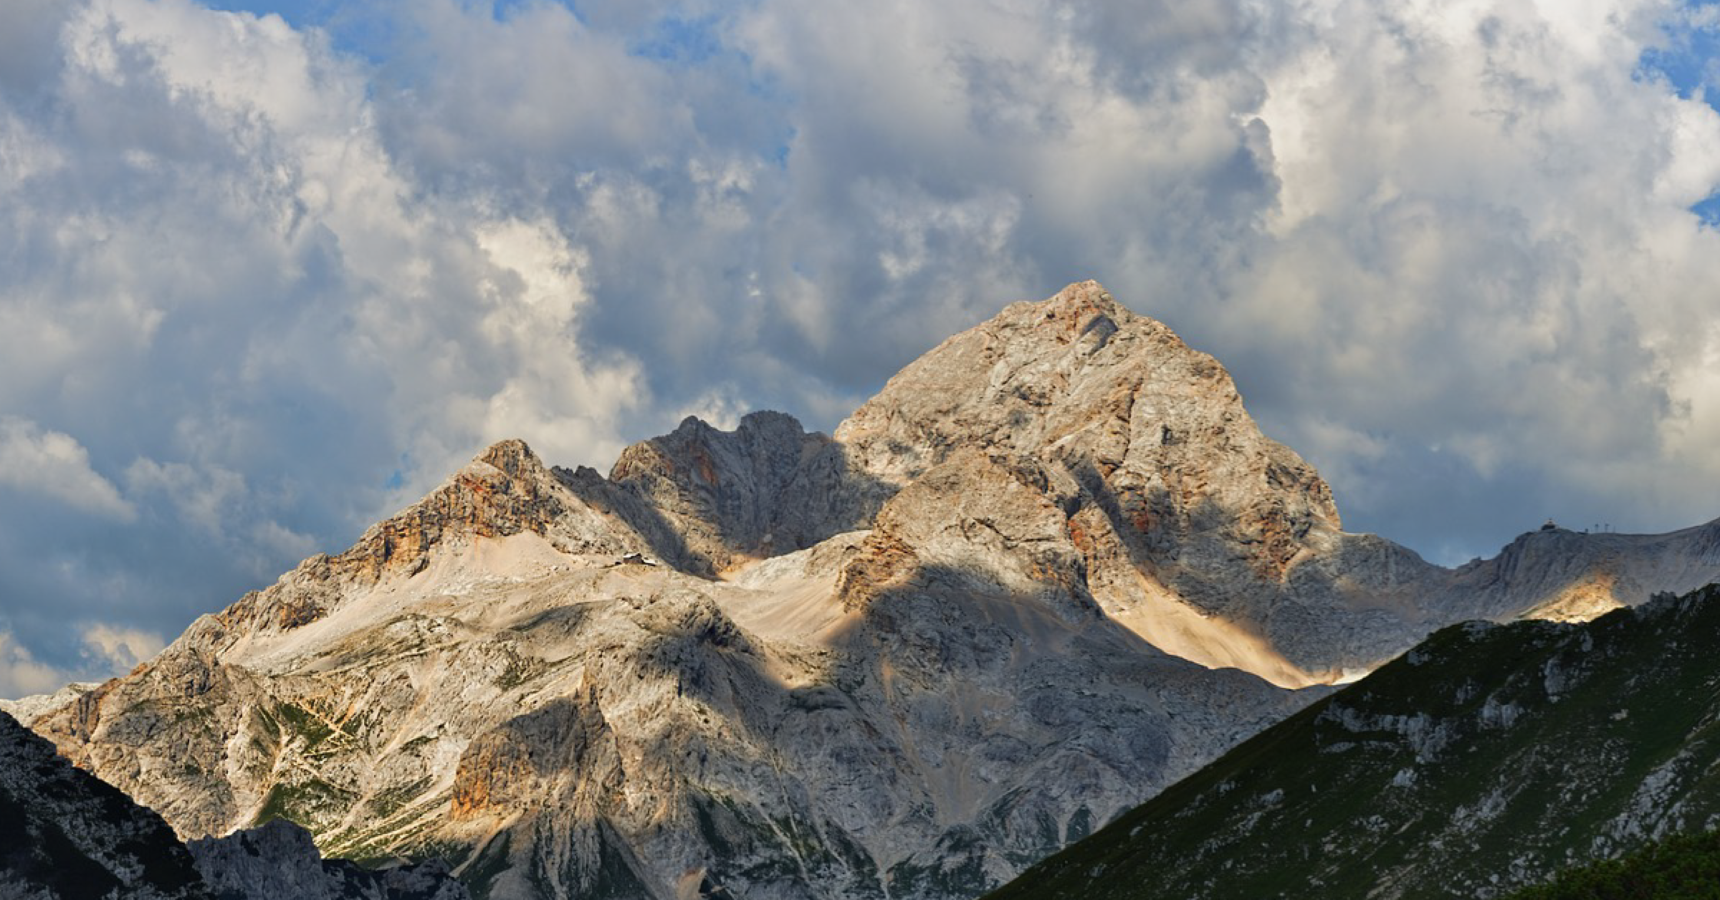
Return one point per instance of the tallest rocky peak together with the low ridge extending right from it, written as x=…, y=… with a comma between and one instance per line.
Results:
x=1186, y=524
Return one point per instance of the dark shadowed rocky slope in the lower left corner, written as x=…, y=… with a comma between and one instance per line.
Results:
x=68, y=835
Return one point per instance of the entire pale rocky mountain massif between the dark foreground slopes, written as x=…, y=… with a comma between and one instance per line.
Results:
x=1048, y=570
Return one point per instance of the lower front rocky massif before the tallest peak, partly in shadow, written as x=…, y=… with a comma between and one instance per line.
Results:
x=570, y=722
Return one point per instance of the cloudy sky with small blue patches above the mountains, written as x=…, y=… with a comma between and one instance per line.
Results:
x=271, y=271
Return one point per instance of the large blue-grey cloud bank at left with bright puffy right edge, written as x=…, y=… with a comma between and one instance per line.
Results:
x=224, y=285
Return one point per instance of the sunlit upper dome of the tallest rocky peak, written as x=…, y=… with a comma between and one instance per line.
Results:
x=1083, y=381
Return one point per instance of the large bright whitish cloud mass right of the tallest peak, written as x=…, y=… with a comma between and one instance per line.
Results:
x=1483, y=250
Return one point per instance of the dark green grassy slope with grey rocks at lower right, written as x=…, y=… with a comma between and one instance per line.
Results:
x=1489, y=758
